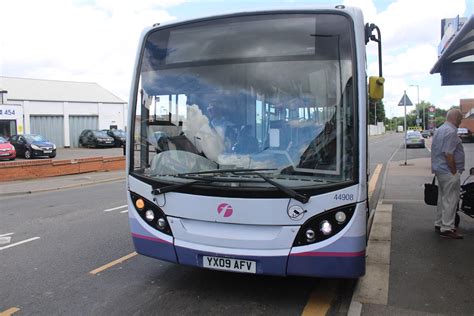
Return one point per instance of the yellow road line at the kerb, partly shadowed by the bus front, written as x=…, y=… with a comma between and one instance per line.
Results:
x=320, y=299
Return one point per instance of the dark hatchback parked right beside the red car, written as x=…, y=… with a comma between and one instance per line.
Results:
x=33, y=145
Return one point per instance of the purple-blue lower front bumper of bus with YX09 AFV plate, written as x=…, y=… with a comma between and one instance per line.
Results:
x=272, y=262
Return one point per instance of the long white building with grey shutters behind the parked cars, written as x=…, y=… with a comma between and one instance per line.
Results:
x=58, y=110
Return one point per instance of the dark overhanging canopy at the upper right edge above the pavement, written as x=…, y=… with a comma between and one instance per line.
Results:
x=456, y=63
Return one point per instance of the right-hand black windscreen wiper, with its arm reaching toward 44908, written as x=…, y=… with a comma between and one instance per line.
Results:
x=303, y=198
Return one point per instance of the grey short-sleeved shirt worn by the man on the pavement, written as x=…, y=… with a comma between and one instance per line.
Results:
x=446, y=141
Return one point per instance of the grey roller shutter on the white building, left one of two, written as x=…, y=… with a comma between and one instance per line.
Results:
x=49, y=126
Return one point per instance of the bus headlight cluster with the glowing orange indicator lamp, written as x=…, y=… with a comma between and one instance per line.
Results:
x=151, y=214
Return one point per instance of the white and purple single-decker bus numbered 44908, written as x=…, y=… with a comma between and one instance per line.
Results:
x=247, y=150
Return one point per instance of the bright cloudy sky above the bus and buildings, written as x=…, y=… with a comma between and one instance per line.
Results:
x=96, y=40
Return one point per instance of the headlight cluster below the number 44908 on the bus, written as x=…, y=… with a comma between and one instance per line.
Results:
x=324, y=225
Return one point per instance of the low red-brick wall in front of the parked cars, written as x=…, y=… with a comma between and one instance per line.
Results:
x=19, y=170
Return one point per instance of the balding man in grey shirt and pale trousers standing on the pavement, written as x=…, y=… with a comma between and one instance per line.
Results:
x=447, y=163
